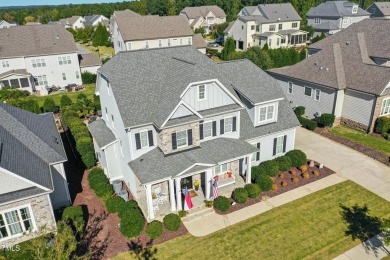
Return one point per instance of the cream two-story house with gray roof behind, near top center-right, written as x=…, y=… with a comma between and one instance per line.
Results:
x=274, y=24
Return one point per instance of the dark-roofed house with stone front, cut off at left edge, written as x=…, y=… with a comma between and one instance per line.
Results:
x=33, y=181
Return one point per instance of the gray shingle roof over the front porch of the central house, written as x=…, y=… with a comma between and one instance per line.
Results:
x=154, y=165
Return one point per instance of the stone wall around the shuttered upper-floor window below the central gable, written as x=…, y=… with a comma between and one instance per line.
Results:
x=165, y=138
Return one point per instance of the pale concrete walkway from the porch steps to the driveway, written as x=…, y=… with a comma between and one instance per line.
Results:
x=215, y=222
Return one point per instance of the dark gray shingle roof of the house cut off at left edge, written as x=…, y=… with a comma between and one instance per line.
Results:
x=31, y=139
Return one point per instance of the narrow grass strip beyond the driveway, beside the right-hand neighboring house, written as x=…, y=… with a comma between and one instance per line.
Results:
x=362, y=138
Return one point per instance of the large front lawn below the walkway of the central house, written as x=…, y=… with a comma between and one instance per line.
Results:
x=310, y=227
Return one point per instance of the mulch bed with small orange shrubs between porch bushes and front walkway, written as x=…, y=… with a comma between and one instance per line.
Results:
x=324, y=172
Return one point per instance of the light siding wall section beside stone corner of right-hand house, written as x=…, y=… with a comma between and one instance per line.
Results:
x=358, y=106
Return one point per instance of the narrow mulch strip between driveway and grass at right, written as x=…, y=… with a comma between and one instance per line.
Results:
x=370, y=152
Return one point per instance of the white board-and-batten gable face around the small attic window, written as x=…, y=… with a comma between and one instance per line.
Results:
x=214, y=97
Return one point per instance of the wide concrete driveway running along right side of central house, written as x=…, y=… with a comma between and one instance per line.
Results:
x=347, y=162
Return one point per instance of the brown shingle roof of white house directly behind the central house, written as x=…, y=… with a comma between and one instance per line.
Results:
x=153, y=27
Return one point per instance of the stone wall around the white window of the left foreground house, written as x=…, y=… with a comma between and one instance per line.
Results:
x=41, y=210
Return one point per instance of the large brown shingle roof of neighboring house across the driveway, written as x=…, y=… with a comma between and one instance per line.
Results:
x=346, y=55
